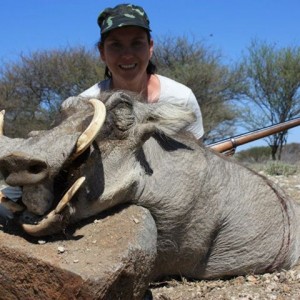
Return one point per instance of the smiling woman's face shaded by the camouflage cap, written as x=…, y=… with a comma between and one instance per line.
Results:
x=126, y=52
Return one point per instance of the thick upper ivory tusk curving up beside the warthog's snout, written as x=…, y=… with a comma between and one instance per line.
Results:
x=87, y=137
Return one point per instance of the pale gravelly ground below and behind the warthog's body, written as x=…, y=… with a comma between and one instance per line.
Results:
x=283, y=285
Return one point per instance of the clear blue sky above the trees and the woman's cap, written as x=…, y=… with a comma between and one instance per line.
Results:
x=225, y=25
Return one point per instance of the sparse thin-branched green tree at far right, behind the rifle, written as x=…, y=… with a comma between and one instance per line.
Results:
x=273, y=95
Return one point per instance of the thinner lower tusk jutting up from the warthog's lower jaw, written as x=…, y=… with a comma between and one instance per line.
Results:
x=54, y=222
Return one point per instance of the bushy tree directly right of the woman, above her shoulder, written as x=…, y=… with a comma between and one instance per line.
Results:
x=214, y=84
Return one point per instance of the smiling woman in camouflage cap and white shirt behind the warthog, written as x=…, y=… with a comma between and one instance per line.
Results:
x=126, y=47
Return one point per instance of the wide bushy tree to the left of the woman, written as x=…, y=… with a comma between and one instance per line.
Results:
x=32, y=89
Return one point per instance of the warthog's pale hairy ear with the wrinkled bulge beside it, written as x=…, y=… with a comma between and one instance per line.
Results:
x=145, y=119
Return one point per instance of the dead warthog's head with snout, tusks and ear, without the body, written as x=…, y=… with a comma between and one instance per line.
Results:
x=52, y=165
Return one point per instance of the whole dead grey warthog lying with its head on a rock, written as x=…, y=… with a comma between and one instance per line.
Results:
x=214, y=217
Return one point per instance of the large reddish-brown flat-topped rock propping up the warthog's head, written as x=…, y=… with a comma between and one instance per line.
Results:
x=108, y=259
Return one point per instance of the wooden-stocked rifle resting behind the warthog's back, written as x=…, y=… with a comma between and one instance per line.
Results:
x=230, y=144
